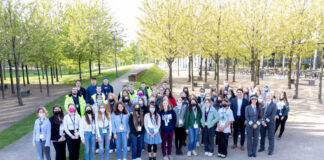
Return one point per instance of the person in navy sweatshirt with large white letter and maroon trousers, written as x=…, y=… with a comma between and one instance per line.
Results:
x=168, y=123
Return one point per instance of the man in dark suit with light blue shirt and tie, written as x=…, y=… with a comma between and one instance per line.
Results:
x=238, y=105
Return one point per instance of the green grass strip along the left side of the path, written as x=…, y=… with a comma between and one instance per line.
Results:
x=24, y=126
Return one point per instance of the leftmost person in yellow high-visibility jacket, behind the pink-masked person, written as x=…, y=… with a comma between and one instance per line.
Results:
x=77, y=100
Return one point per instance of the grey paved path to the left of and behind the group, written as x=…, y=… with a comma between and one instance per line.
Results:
x=23, y=148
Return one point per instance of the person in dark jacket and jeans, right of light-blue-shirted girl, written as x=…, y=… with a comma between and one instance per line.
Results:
x=136, y=125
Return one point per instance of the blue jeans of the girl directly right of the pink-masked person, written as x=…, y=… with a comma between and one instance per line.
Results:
x=90, y=140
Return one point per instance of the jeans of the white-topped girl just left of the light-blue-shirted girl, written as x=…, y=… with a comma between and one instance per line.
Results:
x=105, y=141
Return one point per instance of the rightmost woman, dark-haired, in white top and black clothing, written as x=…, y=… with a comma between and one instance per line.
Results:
x=282, y=113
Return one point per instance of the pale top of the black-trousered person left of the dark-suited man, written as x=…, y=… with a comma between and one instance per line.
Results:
x=225, y=115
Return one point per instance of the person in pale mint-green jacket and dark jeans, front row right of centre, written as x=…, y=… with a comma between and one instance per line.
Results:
x=208, y=121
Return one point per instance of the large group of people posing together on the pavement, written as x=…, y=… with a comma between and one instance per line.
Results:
x=107, y=123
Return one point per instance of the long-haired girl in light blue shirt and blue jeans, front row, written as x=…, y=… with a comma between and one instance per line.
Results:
x=120, y=128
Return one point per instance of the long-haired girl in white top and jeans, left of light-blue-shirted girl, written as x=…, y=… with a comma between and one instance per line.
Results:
x=104, y=130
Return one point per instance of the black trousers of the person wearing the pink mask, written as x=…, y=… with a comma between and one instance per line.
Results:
x=73, y=147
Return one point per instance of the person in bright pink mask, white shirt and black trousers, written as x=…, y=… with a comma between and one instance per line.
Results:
x=71, y=128
